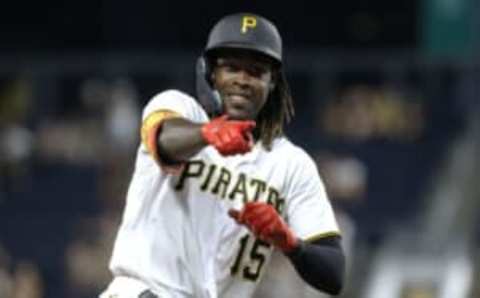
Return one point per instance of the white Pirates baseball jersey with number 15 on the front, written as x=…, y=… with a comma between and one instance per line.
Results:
x=176, y=236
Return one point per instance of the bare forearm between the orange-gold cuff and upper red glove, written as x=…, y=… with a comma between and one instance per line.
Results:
x=179, y=139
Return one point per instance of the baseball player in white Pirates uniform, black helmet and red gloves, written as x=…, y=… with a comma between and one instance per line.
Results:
x=217, y=186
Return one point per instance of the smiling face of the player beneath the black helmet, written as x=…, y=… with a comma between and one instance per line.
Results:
x=243, y=81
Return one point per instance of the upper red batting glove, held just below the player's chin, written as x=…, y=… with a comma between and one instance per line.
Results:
x=229, y=137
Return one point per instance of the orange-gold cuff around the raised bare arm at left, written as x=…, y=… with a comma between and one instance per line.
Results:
x=149, y=132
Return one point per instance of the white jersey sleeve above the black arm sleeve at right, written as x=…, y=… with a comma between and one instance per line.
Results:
x=308, y=209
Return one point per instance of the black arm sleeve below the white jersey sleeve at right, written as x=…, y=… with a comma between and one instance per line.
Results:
x=321, y=264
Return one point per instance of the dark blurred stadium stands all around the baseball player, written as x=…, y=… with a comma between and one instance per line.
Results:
x=387, y=103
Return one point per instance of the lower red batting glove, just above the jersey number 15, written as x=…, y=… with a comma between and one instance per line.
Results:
x=265, y=223
